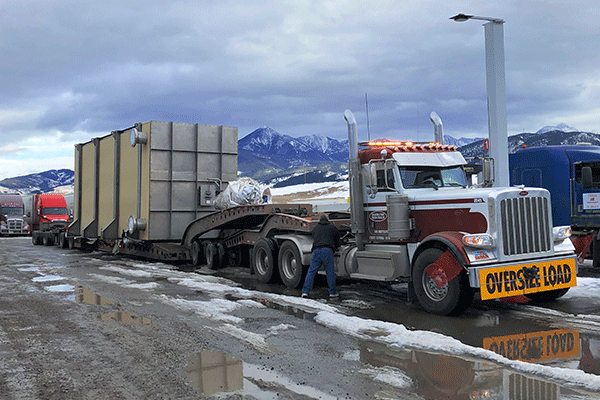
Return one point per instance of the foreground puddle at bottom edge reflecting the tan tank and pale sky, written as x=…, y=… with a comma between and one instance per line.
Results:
x=213, y=372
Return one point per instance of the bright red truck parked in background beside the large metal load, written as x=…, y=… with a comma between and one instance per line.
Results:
x=49, y=217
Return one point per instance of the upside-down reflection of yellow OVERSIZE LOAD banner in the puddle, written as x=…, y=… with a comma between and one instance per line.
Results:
x=535, y=346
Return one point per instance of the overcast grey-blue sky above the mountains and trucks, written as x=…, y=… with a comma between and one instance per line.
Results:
x=74, y=70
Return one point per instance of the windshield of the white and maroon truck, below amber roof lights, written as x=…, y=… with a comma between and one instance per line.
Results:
x=426, y=177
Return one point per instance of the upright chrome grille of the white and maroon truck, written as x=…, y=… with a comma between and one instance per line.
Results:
x=525, y=225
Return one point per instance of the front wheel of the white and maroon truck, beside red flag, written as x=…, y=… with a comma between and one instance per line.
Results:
x=453, y=298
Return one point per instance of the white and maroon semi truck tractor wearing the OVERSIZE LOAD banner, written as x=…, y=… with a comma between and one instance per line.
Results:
x=417, y=220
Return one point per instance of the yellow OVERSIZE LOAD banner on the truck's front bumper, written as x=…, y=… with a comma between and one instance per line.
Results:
x=527, y=278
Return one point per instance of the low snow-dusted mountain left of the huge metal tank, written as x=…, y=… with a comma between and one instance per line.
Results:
x=42, y=182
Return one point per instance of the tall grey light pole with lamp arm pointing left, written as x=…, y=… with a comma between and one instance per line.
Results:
x=496, y=94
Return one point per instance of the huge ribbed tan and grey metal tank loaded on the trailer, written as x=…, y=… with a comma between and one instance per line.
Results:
x=151, y=180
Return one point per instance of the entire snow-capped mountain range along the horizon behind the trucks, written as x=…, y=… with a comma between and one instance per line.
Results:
x=281, y=160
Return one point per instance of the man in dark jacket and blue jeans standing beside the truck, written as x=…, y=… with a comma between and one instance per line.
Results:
x=326, y=240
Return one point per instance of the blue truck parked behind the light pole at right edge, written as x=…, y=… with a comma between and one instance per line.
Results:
x=571, y=173
